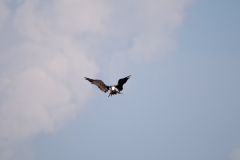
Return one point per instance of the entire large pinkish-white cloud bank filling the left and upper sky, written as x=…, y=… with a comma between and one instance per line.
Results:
x=49, y=46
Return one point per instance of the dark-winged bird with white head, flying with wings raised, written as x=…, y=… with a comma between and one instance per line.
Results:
x=114, y=89
